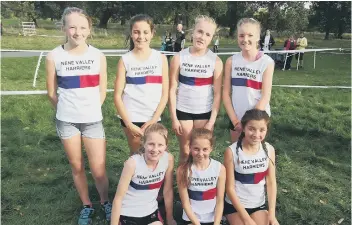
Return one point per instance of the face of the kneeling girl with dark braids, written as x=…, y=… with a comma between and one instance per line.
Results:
x=255, y=131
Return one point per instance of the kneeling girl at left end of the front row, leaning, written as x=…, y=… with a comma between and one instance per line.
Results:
x=141, y=178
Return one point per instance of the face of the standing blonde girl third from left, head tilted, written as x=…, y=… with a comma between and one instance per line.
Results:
x=203, y=34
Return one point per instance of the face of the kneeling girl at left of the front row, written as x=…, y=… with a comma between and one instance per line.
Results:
x=155, y=146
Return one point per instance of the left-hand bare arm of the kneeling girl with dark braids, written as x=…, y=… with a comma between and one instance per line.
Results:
x=230, y=185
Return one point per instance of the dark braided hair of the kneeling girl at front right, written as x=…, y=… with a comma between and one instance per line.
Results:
x=253, y=114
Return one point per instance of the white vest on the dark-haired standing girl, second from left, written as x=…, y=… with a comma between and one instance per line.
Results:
x=143, y=87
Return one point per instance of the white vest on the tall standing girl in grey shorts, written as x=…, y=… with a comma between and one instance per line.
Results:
x=78, y=85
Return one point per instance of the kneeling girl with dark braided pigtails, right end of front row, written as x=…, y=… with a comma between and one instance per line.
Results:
x=250, y=166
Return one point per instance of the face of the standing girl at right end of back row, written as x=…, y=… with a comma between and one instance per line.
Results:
x=248, y=36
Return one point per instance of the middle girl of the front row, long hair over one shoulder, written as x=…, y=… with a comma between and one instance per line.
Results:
x=201, y=182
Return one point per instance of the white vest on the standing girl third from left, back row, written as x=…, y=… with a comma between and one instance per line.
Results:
x=195, y=90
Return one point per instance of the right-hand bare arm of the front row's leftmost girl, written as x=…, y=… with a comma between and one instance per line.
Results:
x=168, y=191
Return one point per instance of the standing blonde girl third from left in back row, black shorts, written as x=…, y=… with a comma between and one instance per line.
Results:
x=195, y=85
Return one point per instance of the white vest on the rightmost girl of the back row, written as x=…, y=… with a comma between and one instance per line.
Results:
x=246, y=81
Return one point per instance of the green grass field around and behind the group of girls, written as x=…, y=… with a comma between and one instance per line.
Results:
x=311, y=131
